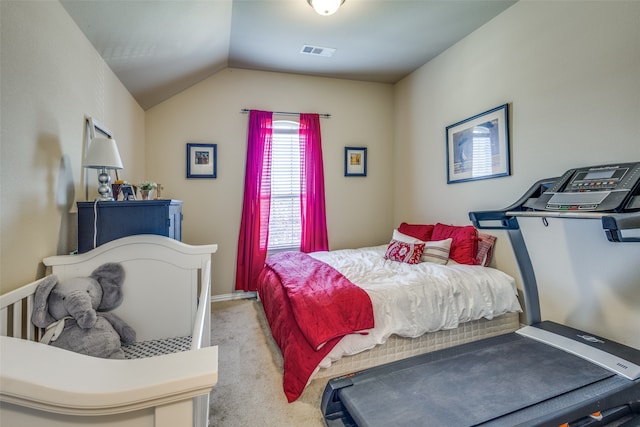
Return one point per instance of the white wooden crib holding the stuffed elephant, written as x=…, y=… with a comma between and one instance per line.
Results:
x=166, y=295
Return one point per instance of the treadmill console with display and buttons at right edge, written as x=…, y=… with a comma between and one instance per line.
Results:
x=606, y=188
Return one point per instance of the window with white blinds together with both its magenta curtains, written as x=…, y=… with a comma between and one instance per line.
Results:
x=302, y=227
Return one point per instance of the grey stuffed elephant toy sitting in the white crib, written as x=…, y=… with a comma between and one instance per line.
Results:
x=74, y=313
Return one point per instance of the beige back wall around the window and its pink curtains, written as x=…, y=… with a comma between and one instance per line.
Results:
x=359, y=210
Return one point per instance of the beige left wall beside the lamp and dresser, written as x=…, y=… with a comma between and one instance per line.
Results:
x=51, y=78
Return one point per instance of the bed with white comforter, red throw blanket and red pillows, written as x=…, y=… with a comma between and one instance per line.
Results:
x=336, y=312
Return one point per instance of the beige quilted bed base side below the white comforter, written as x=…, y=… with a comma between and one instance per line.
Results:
x=397, y=348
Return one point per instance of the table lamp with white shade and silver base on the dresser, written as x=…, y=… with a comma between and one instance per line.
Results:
x=103, y=155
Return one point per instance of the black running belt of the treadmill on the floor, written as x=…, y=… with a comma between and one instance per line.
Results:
x=469, y=388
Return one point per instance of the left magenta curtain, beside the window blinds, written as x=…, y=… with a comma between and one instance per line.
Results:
x=254, y=225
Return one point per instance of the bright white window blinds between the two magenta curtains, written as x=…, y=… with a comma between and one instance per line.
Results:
x=284, y=221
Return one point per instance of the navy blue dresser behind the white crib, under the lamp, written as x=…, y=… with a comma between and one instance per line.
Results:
x=99, y=223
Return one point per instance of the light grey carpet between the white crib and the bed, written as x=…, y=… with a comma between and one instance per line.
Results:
x=249, y=390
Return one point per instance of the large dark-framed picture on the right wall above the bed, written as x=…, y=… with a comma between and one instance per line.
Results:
x=478, y=147
